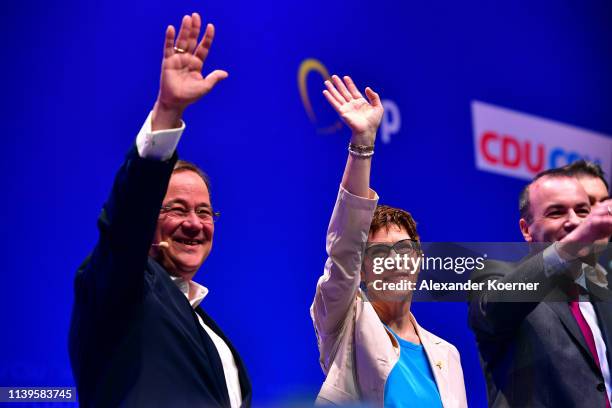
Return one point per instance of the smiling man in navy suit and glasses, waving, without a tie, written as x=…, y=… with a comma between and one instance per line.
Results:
x=138, y=336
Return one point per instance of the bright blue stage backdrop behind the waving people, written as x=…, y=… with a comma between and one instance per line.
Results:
x=81, y=77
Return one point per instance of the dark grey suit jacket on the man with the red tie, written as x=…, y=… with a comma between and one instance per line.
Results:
x=533, y=353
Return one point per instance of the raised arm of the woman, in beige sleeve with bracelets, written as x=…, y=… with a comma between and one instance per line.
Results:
x=350, y=222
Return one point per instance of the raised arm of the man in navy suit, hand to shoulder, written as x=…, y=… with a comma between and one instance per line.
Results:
x=114, y=271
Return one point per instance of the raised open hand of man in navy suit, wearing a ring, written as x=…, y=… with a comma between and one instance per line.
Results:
x=182, y=82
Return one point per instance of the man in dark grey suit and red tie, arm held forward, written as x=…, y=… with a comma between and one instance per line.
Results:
x=549, y=347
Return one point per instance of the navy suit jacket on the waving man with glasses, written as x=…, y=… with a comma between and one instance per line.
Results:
x=134, y=338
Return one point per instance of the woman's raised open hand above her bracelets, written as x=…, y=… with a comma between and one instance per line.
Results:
x=361, y=116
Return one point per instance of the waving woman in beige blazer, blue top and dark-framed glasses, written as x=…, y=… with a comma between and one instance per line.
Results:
x=371, y=347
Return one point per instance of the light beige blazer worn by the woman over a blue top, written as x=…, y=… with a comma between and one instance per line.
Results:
x=357, y=352
